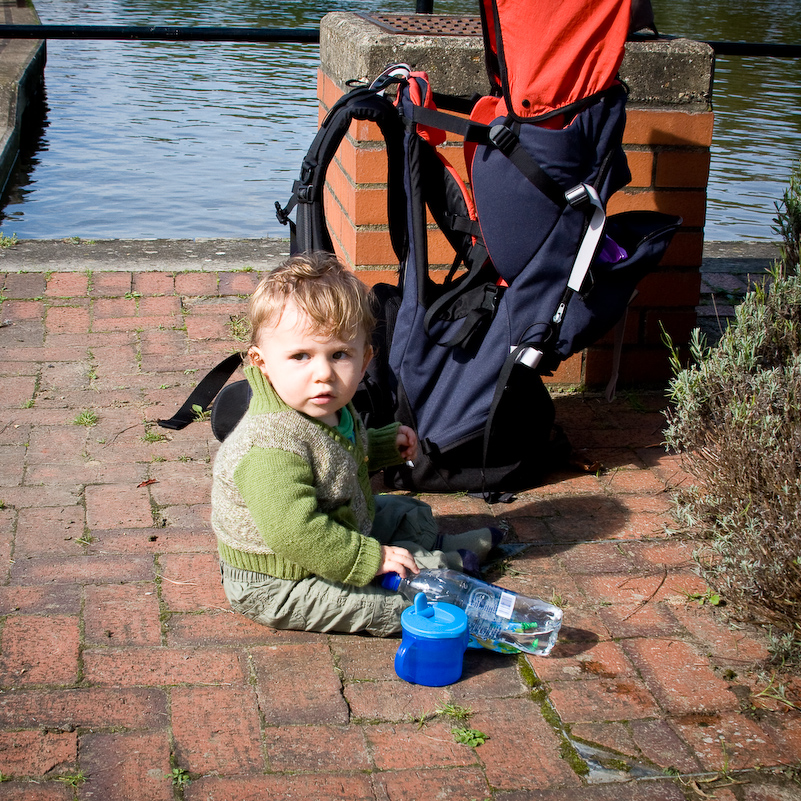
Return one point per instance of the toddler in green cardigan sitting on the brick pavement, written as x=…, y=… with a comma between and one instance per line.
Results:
x=301, y=537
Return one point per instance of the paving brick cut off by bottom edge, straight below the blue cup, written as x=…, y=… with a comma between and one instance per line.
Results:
x=456, y=784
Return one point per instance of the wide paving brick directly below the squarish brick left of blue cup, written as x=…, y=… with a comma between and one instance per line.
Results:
x=316, y=748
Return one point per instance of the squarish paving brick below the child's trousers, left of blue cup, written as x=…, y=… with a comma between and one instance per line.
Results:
x=297, y=683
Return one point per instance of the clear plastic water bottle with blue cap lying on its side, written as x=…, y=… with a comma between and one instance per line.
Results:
x=497, y=619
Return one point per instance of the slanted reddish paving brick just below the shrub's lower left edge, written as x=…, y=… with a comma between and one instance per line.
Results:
x=680, y=678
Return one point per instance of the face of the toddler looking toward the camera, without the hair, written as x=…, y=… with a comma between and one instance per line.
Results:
x=315, y=374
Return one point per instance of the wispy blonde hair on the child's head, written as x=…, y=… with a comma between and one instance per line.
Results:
x=334, y=299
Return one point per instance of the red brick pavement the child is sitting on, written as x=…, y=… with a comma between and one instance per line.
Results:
x=123, y=673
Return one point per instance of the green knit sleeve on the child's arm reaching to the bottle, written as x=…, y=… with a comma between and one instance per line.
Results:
x=278, y=488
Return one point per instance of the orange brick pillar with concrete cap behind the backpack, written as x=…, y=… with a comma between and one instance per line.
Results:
x=667, y=140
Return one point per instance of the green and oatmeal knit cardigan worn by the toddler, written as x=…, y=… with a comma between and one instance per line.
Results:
x=291, y=496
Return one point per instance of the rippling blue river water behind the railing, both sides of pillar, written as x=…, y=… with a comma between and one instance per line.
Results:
x=190, y=140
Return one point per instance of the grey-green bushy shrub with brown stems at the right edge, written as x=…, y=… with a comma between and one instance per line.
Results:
x=736, y=418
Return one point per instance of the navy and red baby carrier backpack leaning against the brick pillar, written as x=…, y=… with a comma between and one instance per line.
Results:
x=540, y=271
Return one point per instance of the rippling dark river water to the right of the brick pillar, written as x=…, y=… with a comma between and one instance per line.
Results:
x=757, y=104
